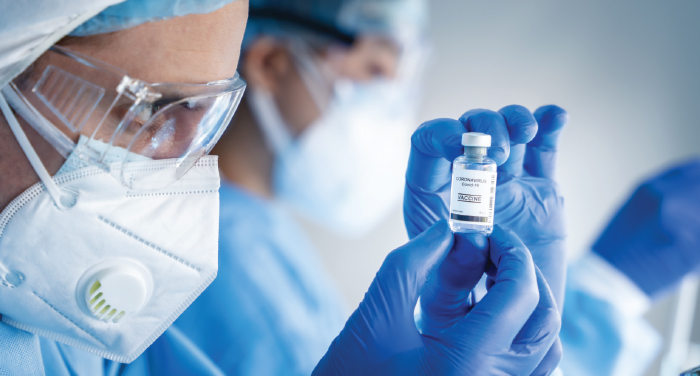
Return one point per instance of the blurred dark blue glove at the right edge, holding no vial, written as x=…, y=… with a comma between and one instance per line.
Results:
x=655, y=238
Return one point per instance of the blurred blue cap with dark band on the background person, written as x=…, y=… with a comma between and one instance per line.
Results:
x=338, y=19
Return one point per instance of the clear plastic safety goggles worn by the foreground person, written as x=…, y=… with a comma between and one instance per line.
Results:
x=70, y=94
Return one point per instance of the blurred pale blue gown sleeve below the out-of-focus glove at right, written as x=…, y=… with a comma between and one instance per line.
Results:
x=603, y=328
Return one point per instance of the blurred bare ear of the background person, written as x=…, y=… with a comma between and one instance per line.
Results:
x=266, y=63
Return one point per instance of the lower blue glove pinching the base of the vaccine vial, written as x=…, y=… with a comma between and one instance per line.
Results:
x=514, y=317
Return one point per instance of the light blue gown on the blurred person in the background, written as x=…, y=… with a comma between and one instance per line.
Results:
x=272, y=309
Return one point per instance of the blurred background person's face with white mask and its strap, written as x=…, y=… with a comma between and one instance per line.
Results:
x=363, y=114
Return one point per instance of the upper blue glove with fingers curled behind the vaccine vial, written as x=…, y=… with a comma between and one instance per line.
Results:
x=527, y=198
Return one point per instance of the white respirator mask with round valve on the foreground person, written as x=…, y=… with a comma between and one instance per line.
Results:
x=91, y=263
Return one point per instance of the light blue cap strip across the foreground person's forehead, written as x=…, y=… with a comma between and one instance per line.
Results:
x=134, y=12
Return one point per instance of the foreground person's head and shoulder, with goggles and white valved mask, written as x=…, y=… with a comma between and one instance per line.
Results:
x=101, y=258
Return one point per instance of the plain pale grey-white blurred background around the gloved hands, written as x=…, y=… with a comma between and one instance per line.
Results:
x=627, y=72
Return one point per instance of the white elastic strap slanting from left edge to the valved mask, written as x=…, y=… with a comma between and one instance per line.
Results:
x=61, y=200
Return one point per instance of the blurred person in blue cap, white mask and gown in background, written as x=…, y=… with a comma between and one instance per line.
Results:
x=323, y=130
